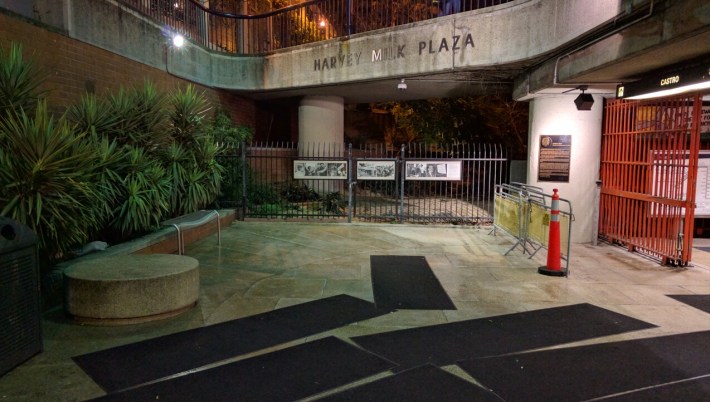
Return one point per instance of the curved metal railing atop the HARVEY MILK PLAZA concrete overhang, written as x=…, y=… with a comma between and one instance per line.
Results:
x=310, y=21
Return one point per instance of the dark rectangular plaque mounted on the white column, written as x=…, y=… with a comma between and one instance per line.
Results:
x=554, y=161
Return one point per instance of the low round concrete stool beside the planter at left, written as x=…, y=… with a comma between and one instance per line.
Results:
x=130, y=289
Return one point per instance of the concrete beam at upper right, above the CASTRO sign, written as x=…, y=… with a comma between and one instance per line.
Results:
x=670, y=33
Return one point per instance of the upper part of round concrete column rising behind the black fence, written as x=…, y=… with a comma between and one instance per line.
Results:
x=321, y=120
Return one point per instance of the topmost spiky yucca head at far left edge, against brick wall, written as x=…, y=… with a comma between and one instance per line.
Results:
x=20, y=85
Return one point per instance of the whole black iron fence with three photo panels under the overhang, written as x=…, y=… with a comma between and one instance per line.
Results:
x=414, y=183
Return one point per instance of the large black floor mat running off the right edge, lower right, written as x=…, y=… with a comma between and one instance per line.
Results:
x=594, y=371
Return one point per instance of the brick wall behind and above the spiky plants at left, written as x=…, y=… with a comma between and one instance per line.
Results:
x=72, y=67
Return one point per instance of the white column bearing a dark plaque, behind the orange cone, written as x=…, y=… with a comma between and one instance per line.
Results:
x=558, y=115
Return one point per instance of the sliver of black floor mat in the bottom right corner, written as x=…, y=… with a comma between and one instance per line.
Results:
x=691, y=390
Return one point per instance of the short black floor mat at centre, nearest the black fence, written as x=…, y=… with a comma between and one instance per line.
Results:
x=407, y=282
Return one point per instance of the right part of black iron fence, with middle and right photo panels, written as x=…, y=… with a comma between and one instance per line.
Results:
x=420, y=183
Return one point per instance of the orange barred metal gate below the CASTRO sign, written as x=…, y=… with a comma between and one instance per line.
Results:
x=649, y=167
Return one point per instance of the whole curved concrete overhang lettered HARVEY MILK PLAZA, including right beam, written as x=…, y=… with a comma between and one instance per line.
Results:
x=521, y=47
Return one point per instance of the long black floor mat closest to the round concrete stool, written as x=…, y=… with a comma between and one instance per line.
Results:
x=129, y=365
